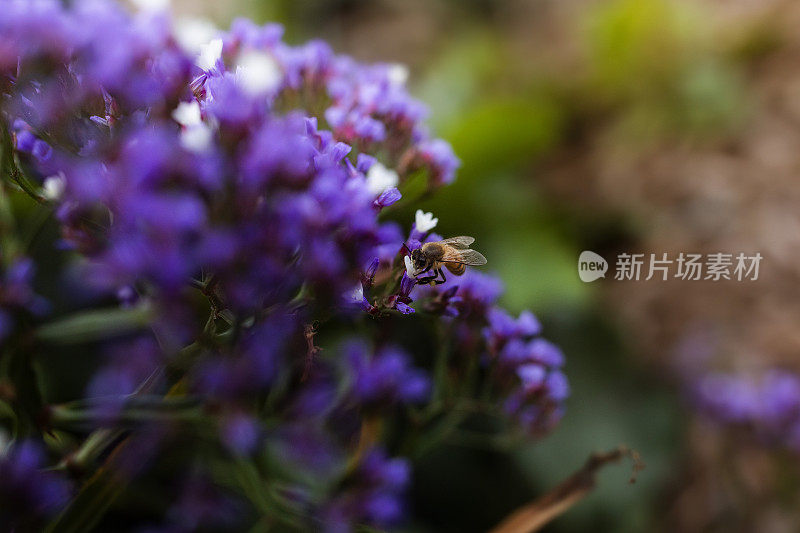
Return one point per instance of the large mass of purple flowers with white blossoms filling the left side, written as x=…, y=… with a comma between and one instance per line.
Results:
x=232, y=199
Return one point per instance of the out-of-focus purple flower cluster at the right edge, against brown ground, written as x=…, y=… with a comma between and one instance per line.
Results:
x=768, y=407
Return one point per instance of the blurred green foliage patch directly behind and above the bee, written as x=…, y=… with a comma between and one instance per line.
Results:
x=499, y=134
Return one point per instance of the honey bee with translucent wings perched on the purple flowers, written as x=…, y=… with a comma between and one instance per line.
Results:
x=453, y=253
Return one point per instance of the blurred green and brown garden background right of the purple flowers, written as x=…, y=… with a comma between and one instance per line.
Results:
x=639, y=126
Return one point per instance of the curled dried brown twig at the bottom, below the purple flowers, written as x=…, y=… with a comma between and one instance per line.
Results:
x=535, y=515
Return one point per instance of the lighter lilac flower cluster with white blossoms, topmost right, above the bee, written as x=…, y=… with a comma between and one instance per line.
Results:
x=366, y=106
